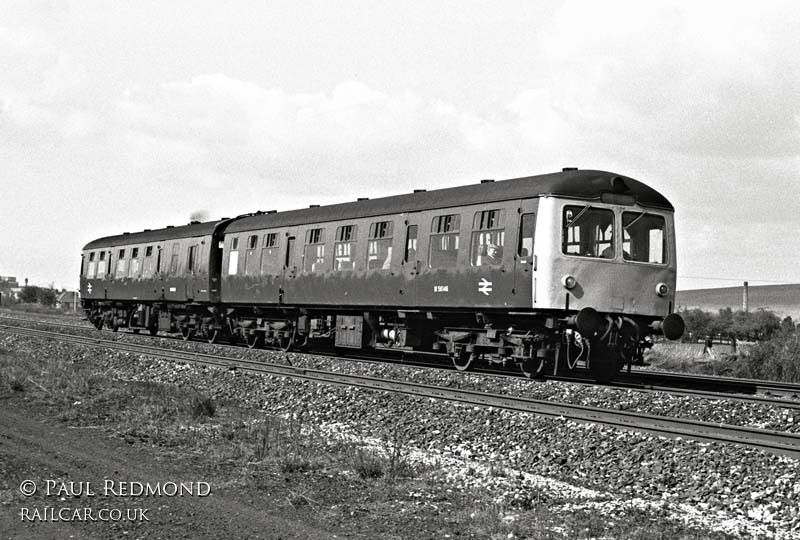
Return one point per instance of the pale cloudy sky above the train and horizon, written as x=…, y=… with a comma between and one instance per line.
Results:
x=120, y=116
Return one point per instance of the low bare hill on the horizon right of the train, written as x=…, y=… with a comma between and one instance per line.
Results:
x=782, y=299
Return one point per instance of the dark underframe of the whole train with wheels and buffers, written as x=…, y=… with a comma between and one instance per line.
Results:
x=539, y=344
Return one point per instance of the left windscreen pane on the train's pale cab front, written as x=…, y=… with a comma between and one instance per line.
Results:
x=588, y=232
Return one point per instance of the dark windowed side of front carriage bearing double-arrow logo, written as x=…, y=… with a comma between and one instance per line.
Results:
x=430, y=260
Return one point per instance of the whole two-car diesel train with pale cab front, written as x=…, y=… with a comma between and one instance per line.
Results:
x=567, y=271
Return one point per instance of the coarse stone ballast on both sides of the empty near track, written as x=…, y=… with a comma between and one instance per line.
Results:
x=723, y=487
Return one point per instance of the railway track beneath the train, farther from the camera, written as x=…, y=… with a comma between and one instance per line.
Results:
x=773, y=393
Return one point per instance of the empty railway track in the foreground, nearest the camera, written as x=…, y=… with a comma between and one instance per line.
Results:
x=771, y=441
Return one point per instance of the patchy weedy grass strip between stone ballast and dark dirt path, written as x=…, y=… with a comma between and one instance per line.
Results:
x=369, y=491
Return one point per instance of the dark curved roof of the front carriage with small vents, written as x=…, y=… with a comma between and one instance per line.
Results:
x=574, y=184
